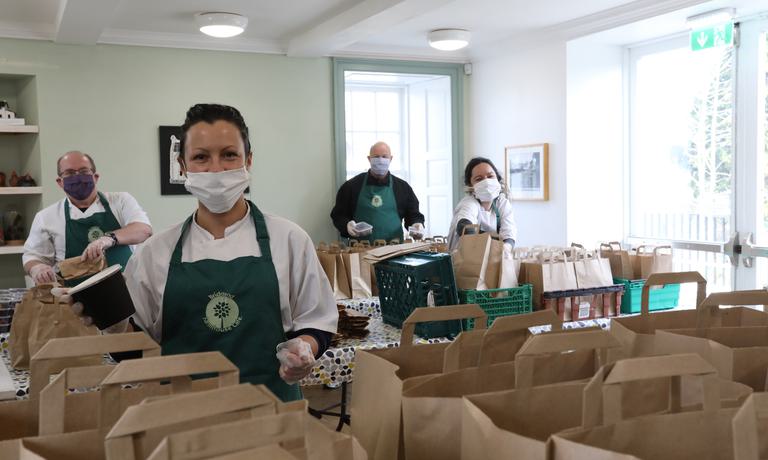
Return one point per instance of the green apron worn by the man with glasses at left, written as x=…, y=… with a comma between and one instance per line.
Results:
x=82, y=232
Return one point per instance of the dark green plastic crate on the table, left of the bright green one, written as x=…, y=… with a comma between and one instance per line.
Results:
x=404, y=283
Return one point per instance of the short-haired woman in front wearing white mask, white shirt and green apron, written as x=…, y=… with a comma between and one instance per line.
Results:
x=230, y=278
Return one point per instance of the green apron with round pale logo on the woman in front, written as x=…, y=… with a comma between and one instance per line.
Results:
x=229, y=306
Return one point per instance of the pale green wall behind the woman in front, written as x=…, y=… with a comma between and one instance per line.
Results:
x=109, y=100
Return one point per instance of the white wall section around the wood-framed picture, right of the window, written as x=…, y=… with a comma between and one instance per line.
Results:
x=519, y=98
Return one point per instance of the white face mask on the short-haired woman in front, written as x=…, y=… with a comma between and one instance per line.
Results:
x=218, y=191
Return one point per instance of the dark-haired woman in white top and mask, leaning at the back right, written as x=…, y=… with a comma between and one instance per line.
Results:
x=484, y=205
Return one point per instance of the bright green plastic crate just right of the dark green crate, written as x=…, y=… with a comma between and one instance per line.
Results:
x=498, y=302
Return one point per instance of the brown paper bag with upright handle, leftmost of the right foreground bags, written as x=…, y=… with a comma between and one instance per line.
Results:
x=380, y=376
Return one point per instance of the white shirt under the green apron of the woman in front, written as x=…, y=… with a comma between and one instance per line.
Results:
x=306, y=298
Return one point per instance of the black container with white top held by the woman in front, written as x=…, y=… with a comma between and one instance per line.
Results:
x=105, y=297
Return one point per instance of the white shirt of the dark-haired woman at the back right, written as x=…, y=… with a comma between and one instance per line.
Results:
x=471, y=209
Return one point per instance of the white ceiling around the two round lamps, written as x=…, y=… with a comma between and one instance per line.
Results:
x=376, y=28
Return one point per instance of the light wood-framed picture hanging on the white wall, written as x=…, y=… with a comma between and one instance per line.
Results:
x=526, y=171
